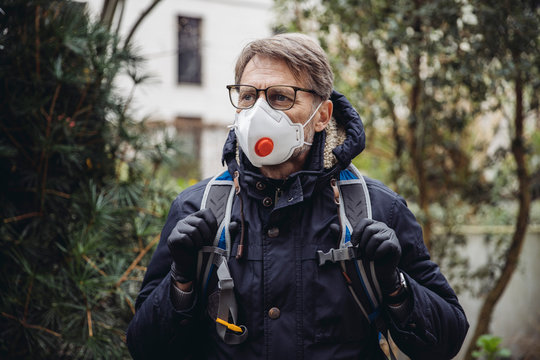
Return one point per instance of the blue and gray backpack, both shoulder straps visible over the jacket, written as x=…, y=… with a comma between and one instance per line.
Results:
x=353, y=203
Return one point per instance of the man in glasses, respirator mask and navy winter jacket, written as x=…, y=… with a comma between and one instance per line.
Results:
x=293, y=308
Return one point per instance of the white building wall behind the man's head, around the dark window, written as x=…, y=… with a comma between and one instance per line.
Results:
x=227, y=26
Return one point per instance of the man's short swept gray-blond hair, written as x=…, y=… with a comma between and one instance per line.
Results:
x=304, y=57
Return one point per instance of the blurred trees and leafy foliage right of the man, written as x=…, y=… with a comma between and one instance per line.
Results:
x=449, y=92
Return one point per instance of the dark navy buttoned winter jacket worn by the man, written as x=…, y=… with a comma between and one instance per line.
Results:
x=286, y=222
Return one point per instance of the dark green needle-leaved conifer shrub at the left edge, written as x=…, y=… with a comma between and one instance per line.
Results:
x=83, y=188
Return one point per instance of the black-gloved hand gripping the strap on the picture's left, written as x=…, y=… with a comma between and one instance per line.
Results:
x=186, y=239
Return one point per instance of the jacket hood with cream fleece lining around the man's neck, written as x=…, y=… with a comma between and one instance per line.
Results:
x=342, y=140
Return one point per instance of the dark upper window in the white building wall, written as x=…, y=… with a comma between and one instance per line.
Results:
x=189, y=50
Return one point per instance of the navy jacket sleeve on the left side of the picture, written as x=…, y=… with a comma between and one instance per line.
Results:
x=158, y=330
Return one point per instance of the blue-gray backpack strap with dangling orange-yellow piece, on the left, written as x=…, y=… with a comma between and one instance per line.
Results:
x=212, y=269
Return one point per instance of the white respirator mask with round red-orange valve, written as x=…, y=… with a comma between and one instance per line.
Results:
x=268, y=136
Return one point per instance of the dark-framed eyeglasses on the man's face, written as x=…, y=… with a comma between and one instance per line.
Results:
x=279, y=97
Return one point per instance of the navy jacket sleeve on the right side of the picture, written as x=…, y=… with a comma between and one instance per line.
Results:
x=436, y=325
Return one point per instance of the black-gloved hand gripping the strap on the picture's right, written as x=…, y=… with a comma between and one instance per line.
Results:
x=377, y=242
